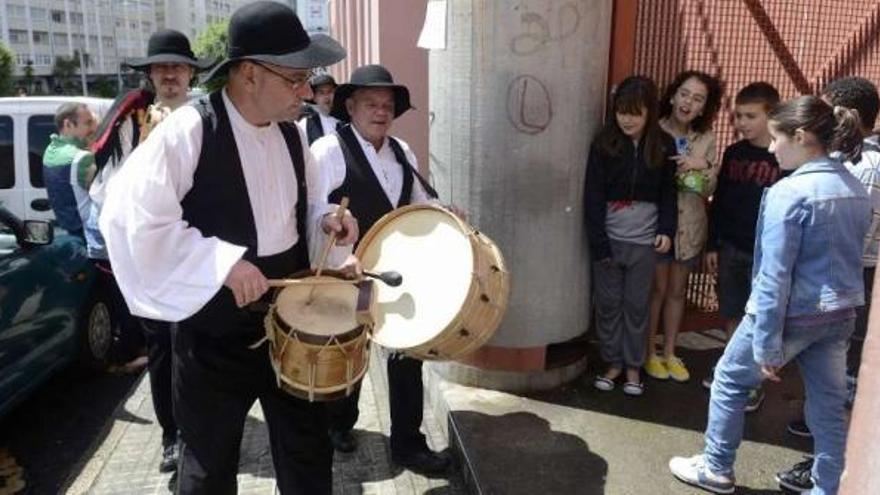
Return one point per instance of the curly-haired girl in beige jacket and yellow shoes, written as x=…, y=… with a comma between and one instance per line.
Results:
x=687, y=111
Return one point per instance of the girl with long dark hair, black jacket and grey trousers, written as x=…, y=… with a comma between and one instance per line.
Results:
x=630, y=212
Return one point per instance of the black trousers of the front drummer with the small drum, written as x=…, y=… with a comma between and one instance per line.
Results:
x=216, y=381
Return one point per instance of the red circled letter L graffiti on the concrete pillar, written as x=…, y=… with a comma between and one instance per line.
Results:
x=529, y=107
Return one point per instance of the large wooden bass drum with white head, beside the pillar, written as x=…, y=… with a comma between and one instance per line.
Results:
x=455, y=285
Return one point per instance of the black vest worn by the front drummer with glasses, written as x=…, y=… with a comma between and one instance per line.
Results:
x=219, y=205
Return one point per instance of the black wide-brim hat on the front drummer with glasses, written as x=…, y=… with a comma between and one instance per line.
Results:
x=271, y=32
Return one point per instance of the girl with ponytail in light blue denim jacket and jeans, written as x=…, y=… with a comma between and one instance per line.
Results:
x=807, y=282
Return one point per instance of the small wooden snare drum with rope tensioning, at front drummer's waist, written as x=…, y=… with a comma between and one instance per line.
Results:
x=318, y=337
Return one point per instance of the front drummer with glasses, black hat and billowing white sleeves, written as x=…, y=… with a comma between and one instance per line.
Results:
x=218, y=199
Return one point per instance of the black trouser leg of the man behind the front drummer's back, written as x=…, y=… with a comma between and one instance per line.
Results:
x=158, y=335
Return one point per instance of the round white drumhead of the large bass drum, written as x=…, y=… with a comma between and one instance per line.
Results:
x=429, y=247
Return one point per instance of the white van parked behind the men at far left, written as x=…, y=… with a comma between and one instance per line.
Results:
x=25, y=126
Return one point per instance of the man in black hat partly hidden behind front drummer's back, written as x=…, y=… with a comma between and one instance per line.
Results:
x=170, y=66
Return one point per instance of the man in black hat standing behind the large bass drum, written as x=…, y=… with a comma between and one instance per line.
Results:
x=377, y=172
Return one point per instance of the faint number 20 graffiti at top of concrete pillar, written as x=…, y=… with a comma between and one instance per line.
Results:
x=538, y=32
